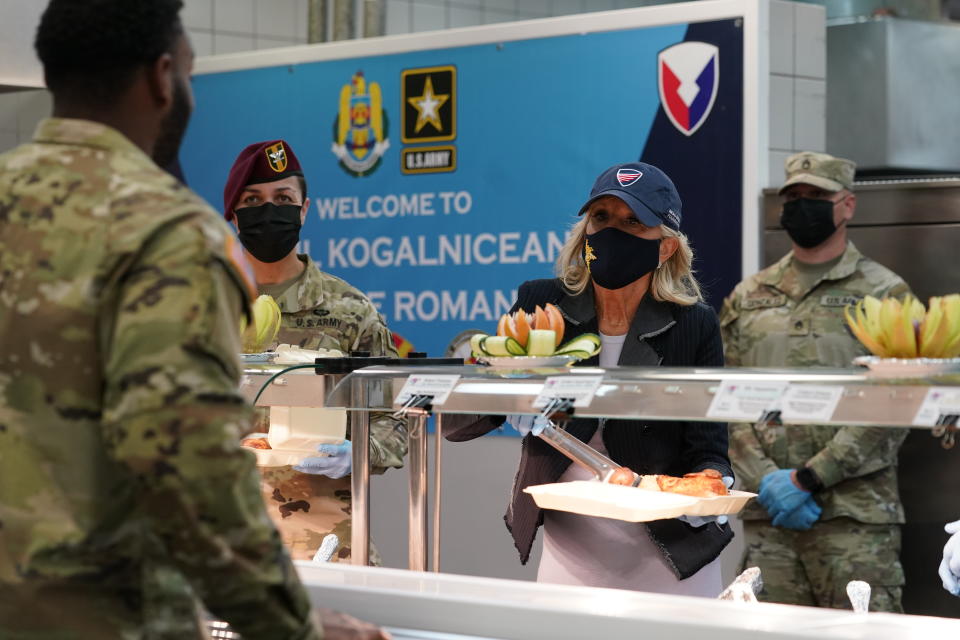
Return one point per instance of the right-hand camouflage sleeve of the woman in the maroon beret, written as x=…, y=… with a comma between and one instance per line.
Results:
x=388, y=436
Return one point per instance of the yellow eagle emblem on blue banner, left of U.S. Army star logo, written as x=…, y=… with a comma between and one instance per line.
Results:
x=360, y=130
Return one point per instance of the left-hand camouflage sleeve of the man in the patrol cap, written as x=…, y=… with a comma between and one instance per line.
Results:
x=750, y=461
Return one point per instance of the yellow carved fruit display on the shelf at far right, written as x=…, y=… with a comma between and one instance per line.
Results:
x=893, y=329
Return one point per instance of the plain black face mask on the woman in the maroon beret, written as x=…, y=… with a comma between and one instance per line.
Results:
x=269, y=231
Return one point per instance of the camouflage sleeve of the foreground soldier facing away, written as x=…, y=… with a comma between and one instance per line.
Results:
x=173, y=417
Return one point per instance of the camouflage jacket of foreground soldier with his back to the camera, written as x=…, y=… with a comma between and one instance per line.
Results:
x=123, y=488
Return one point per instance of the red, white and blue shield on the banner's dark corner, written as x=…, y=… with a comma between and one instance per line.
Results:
x=687, y=76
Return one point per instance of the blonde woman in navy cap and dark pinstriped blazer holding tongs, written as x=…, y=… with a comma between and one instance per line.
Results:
x=625, y=274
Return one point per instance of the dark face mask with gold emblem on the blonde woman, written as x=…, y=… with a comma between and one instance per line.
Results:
x=616, y=258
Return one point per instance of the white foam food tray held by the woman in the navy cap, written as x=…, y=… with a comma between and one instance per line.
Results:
x=594, y=498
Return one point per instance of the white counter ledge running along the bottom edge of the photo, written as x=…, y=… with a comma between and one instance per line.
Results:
x=434, y=605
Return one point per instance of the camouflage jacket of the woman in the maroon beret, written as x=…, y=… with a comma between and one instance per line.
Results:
x=322, y=311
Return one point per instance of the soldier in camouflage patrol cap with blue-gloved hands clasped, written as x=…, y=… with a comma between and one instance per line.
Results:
x=831, y=492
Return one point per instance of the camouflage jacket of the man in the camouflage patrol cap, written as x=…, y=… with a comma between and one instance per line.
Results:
x=771, y=321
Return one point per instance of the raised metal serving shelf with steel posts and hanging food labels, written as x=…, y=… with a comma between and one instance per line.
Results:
x=861, y=398
